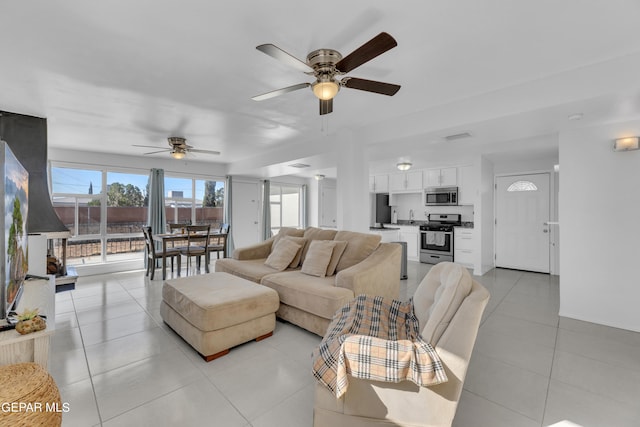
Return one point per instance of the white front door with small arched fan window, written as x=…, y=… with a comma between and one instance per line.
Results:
x=522, y=213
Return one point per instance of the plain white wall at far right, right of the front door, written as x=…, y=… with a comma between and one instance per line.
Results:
x=600, y=227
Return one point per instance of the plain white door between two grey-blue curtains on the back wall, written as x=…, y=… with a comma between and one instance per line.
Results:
x=246, y=213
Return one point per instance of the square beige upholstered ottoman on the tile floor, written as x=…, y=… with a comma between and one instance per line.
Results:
x=214, y=312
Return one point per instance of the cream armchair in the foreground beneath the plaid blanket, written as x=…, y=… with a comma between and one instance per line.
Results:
x=449, y=305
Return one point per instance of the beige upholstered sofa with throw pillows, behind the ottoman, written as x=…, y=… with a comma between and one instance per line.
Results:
x=308, y=299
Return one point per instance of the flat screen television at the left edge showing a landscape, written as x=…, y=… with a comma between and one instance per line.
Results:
x=14, y=242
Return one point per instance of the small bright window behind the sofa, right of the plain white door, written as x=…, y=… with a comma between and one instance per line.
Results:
x=285, y=202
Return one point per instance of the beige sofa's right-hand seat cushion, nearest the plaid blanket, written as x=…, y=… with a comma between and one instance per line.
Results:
x=316, y=295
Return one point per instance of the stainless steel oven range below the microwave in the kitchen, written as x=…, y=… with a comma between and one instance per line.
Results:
x=436, y=238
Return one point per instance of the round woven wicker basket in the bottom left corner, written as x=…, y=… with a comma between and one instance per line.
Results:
x=28, y=397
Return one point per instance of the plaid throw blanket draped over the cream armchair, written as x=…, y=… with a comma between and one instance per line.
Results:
x=376, y=339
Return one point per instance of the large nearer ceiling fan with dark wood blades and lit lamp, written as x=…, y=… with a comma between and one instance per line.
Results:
x=326, y=64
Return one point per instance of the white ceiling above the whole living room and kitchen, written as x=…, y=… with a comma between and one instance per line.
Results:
x=110, y=74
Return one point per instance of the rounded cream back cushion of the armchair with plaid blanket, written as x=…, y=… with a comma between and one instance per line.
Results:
x=438, y=298
